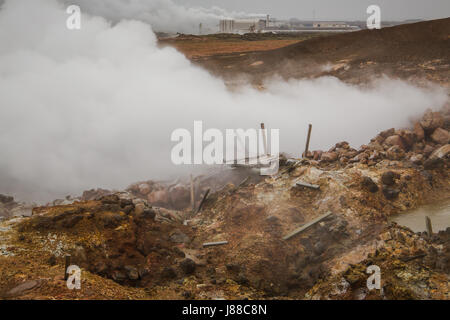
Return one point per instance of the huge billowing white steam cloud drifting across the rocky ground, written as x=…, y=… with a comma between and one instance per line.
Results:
x=96, y=107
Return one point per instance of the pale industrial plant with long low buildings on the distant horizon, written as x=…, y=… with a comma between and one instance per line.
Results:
x=250, y=25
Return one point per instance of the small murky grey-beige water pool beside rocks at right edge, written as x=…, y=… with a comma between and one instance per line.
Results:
x=439, y=214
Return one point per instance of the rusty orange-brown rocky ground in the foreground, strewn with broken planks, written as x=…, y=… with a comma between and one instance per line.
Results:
x=147, y=242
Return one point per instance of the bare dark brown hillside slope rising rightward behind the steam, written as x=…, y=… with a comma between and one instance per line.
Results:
x=413, y=51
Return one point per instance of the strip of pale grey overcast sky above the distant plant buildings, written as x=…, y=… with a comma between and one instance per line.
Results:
x=333, y=9
